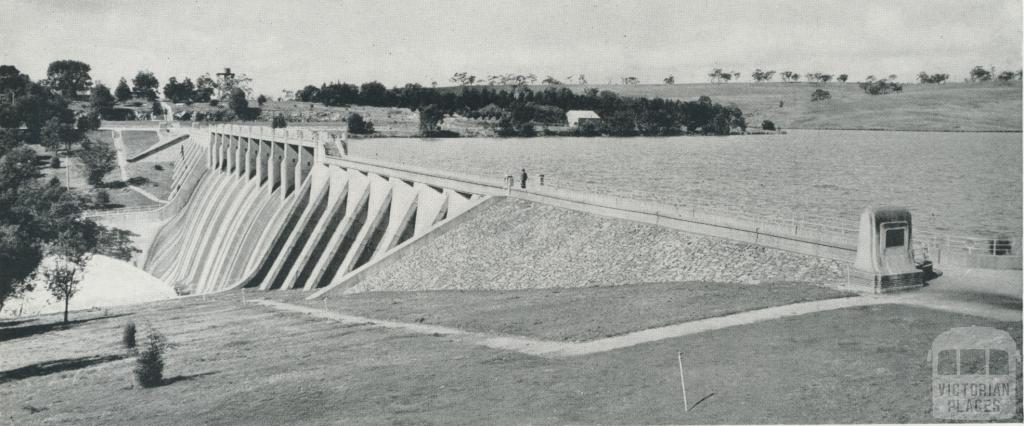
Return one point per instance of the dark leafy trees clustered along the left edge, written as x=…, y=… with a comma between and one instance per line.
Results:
x=42, y=219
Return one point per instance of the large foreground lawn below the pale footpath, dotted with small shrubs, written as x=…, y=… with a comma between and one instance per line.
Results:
x=252, y=365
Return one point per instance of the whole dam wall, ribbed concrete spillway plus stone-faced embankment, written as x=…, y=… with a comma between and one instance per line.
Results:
x=272, y=209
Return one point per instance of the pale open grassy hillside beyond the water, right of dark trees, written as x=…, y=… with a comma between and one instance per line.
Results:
x=958, y=107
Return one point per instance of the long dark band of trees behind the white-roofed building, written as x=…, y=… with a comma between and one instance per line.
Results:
x=520, y=109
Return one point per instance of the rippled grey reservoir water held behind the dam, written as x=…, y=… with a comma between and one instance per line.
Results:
x=959, y=184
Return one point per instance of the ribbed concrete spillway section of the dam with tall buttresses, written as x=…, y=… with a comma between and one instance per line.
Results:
x=279, y=210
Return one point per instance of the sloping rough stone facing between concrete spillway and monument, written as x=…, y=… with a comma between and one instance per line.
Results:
x=519, y=244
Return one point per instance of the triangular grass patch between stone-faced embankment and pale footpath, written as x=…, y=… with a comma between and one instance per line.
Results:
x=573, y=315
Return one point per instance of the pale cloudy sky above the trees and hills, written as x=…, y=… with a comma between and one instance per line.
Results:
x=288, y=45
